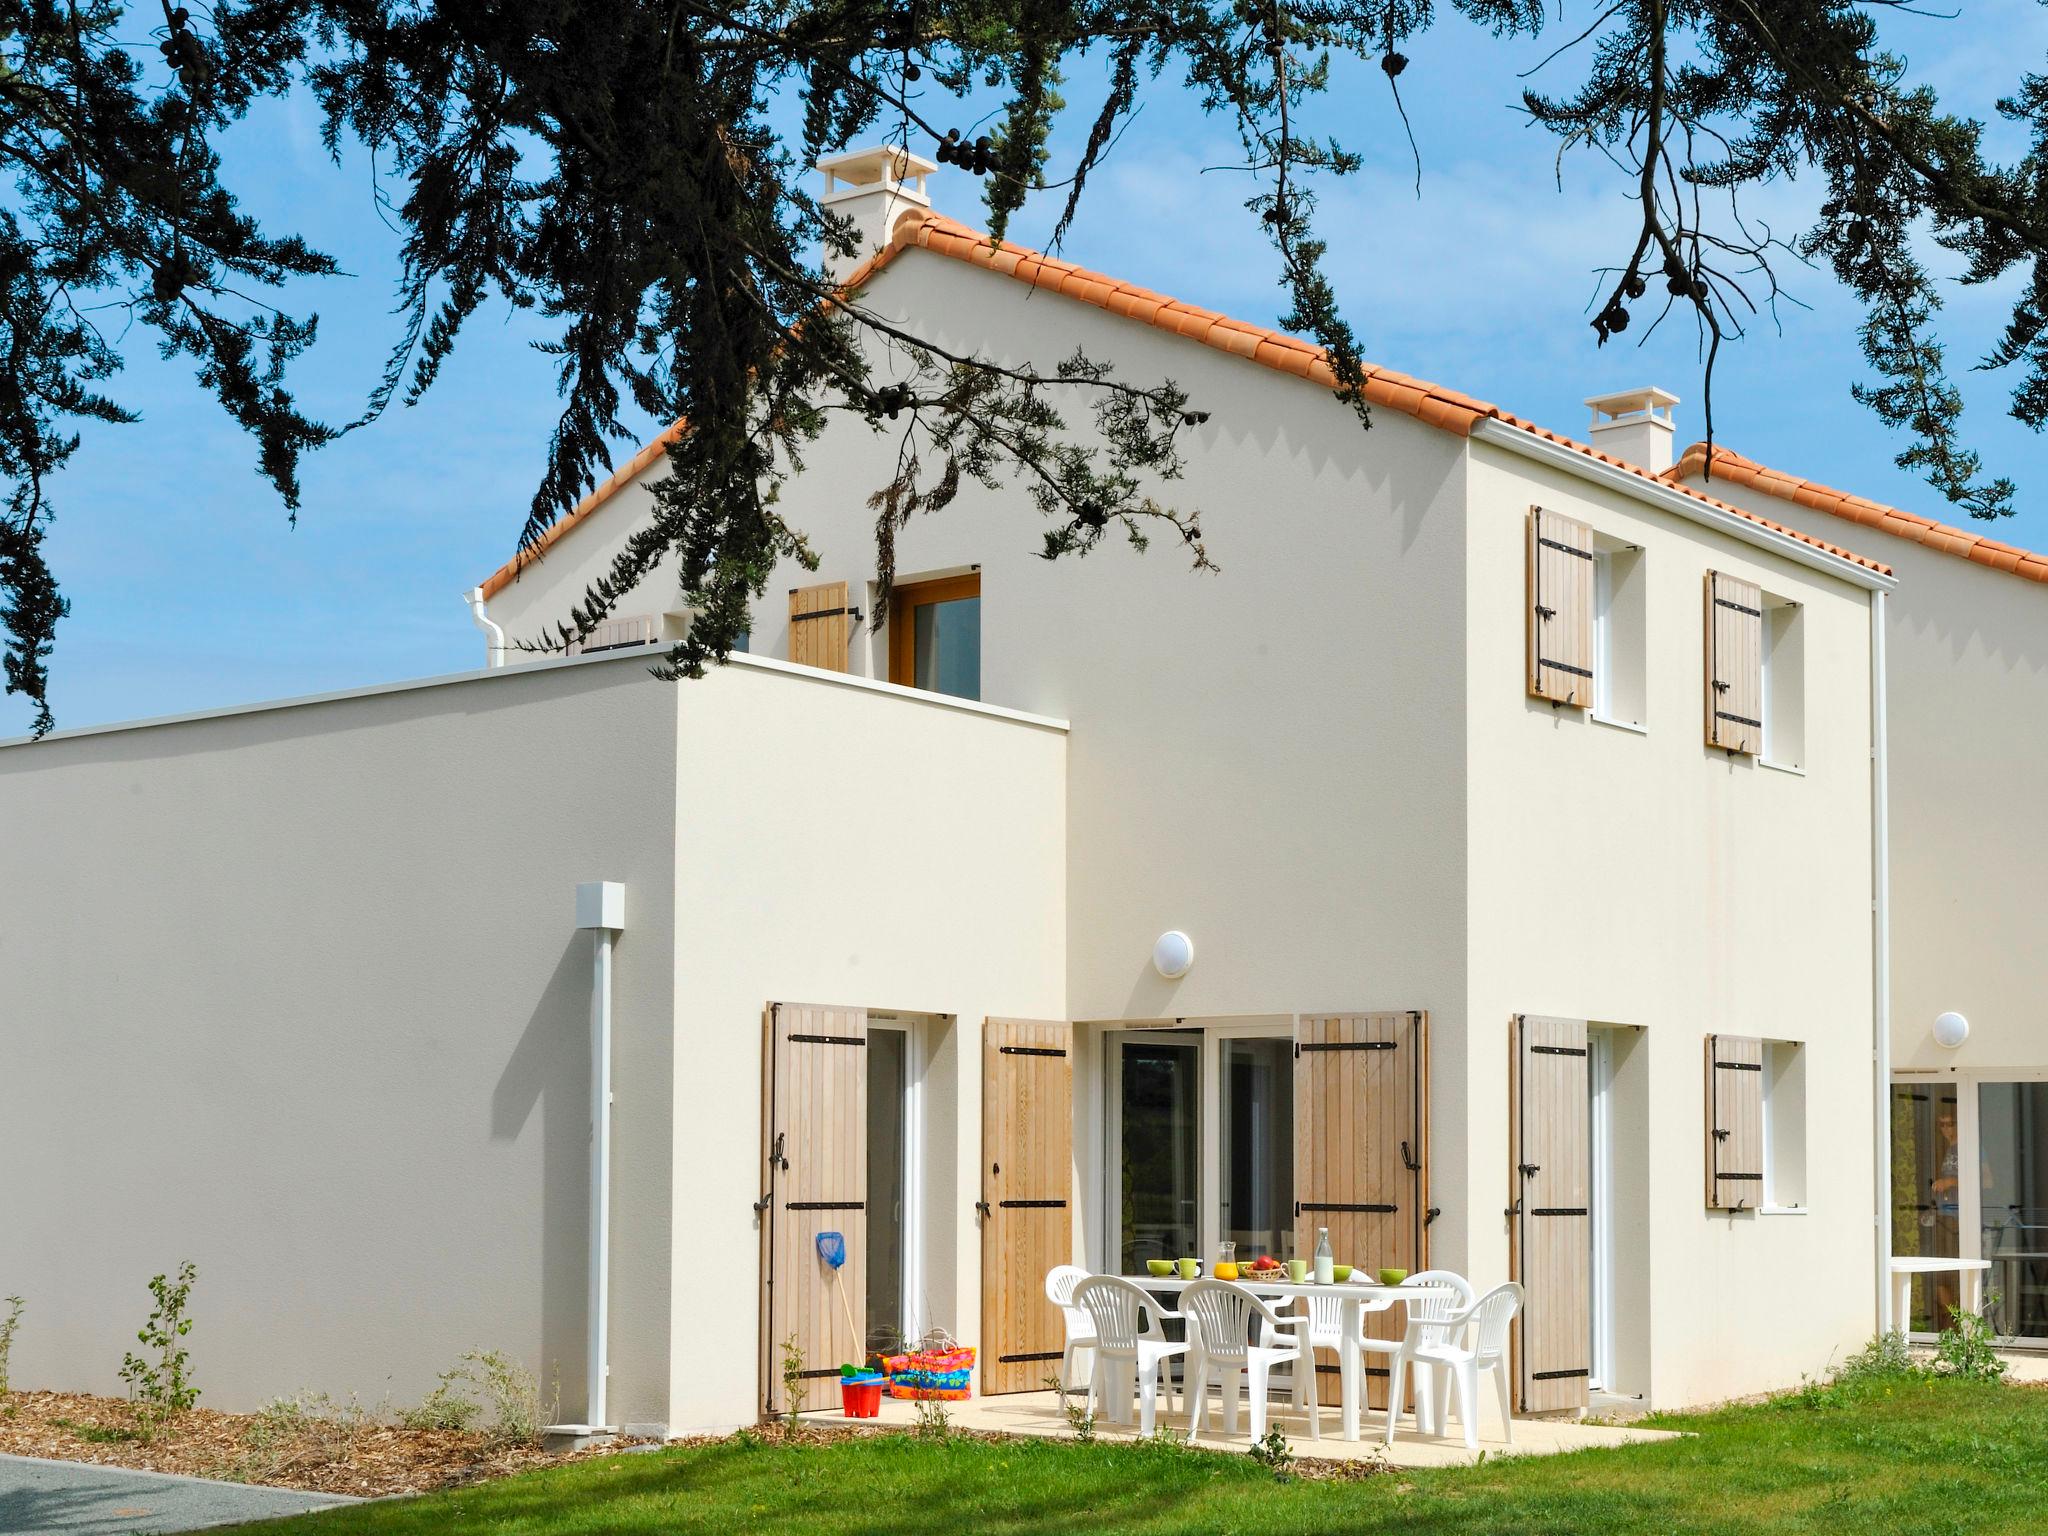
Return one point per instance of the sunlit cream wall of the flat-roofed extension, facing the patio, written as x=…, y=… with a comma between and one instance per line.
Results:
x=845, y=845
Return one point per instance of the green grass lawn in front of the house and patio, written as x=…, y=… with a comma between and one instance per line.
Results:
x=1848, y=1461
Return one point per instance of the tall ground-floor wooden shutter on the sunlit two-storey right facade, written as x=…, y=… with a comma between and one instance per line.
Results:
x=1551, y=1224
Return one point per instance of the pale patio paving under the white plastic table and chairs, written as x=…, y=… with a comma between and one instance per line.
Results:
x=1037, y=1414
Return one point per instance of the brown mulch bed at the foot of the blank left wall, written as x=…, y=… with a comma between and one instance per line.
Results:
x=323, y=1455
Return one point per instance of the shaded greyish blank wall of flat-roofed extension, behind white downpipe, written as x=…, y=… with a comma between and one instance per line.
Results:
x=298, y=994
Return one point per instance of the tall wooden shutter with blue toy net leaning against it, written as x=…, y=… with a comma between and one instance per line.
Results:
x=816, y=1156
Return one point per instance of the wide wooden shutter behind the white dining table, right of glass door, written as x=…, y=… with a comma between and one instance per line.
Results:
x=1361, y=1156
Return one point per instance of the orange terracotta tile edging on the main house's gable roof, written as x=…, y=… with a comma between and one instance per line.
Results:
x=1433, y=404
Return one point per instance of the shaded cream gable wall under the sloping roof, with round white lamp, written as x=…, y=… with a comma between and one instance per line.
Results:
x=1269, y=757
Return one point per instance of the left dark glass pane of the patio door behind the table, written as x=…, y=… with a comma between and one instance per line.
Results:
x=1160, y=1091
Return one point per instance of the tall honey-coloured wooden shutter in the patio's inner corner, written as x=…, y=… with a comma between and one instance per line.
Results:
x=1027, y=1199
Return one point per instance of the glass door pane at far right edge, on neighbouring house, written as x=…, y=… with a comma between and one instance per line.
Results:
x=2012, y=1132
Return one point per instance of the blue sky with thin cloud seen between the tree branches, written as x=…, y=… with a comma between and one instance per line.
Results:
x=189, y=591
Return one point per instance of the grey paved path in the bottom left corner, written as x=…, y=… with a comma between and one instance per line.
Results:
x=42, y=1498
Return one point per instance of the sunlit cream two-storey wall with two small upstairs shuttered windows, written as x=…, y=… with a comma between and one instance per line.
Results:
x=1646, y=880
